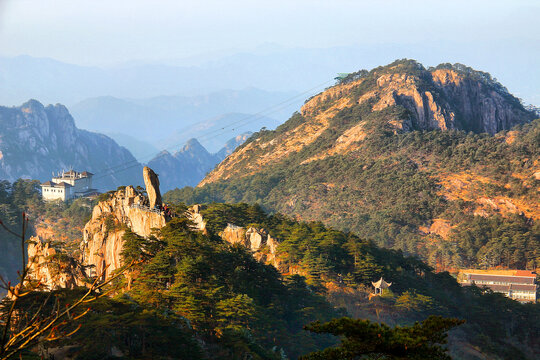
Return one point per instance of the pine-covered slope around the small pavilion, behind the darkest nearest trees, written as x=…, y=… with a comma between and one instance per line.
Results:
x=220, y=287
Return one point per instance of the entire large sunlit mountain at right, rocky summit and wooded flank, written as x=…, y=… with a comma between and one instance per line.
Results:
x=442, y=163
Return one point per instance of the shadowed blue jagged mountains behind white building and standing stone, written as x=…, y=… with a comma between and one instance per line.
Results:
x=37, y=140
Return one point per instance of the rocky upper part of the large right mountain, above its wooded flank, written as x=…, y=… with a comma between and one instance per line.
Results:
x=403, y=96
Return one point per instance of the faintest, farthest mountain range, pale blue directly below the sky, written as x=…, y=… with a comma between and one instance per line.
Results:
x=273, y=68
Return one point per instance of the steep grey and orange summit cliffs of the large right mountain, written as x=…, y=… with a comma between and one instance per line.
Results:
x=453, y=101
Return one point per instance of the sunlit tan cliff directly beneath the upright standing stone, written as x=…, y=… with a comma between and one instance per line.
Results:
x=103, y=242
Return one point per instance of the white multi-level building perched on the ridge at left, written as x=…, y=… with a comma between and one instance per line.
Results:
x=68, y=185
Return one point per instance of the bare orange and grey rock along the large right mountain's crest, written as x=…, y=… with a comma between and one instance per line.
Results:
x=402, y=84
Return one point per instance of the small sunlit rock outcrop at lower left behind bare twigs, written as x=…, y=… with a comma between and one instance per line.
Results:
x=52, y=268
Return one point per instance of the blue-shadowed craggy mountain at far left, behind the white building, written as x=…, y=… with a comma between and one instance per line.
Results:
x=36, y=140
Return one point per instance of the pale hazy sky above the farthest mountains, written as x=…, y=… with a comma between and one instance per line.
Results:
x=113, y=31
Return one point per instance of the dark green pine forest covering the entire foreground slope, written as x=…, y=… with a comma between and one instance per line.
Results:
x=195, y=296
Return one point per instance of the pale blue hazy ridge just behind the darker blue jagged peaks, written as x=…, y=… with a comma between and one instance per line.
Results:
x=154, y=119
